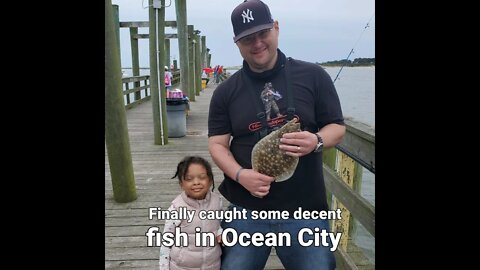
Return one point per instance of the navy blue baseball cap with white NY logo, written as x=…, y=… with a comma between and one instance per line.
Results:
x=250, y=17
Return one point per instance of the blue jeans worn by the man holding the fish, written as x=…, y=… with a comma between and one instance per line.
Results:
x=295, y=256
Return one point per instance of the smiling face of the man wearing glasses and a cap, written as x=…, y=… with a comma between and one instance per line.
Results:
x=260, y=49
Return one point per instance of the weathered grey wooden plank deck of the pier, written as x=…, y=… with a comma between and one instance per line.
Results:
x=154, y=165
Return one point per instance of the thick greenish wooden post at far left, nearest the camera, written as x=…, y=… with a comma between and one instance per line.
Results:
x=116, y=131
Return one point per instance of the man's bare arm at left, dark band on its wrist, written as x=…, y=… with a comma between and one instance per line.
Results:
x=258, y=184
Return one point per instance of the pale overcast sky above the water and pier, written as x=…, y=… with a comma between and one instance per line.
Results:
x=310, y=30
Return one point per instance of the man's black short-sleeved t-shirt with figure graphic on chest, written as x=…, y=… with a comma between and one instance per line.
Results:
x=232, y=111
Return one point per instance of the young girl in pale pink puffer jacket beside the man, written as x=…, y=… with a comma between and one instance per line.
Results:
x=195, y=178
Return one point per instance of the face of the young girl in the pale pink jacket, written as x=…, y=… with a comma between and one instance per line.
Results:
x=196, y=182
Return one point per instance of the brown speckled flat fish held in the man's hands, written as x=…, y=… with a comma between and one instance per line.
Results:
x=270, y=160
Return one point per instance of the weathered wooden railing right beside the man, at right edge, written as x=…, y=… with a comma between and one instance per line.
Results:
x=343, y=169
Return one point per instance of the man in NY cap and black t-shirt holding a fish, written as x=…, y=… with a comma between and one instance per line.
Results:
x=307, y=93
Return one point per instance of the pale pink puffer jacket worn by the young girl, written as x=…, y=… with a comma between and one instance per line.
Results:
x=193, y=257
